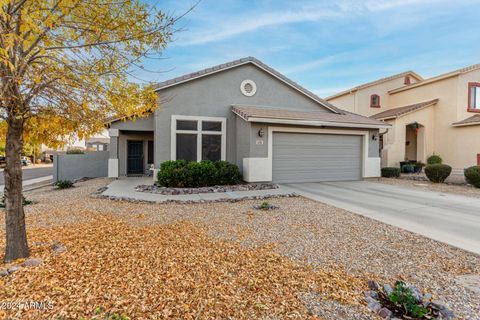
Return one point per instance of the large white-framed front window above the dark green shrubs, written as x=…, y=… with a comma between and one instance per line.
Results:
x=198, y=138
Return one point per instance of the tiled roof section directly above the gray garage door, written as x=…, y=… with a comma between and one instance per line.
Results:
x=312, y=118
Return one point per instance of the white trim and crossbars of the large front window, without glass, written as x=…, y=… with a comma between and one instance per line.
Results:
x=199, y=133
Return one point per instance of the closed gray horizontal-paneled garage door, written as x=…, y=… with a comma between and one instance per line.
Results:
x=300, y=157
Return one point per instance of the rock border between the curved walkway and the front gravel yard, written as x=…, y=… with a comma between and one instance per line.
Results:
x=98, y=195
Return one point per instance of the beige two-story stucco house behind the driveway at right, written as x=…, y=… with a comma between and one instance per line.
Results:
x=438, y=115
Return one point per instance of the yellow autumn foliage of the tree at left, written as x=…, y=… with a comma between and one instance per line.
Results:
x=66, y=64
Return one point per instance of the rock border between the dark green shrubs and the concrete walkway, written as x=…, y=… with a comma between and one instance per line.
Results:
x=213, y=189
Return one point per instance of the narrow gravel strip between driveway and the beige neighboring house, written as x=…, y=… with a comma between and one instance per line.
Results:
x=420, y=182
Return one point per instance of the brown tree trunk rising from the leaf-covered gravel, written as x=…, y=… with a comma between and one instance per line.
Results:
x=16, y=245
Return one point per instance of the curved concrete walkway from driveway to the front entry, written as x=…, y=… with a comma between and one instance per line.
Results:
x=125, y=188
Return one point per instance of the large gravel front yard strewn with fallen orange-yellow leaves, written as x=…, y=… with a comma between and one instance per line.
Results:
x=326, y=255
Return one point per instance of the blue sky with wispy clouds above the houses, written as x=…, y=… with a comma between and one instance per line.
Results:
x=326, y=46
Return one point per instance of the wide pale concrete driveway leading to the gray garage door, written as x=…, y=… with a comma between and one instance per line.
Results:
x=448, y=218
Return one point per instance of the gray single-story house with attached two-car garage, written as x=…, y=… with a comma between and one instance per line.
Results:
x=249, y=114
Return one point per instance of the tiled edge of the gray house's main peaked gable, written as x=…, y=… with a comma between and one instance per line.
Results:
x=240, y=62
